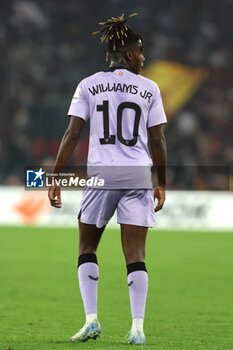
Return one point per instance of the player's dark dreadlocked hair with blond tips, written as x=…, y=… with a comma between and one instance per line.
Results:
x=117, y=34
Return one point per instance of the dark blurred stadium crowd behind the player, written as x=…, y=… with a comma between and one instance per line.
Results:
x=47, y=48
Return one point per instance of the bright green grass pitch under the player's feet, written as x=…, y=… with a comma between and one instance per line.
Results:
x=190, y=297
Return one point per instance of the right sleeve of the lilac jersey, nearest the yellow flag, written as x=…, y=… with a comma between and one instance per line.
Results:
x=156, y=112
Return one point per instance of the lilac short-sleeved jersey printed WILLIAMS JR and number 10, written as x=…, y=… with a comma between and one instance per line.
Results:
x=121, y=106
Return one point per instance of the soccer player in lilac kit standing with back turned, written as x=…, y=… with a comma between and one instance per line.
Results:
x=124, y=109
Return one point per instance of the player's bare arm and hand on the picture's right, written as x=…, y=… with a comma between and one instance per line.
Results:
x=159, y=156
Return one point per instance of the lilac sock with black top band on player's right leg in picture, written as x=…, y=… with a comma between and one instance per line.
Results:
x=138, y=286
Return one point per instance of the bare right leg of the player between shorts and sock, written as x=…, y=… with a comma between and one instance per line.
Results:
x=133, y=240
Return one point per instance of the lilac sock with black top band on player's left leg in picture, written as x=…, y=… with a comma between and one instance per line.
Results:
x=88, y=275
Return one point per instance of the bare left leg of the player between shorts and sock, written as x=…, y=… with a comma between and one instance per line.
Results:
x=89, y=237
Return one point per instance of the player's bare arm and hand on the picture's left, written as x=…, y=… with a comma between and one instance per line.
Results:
x=67, y=146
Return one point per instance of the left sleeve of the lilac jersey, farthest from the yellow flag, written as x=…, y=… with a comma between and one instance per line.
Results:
x=79, y=106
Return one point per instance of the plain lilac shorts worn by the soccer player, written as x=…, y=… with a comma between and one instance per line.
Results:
x=134, y=207
